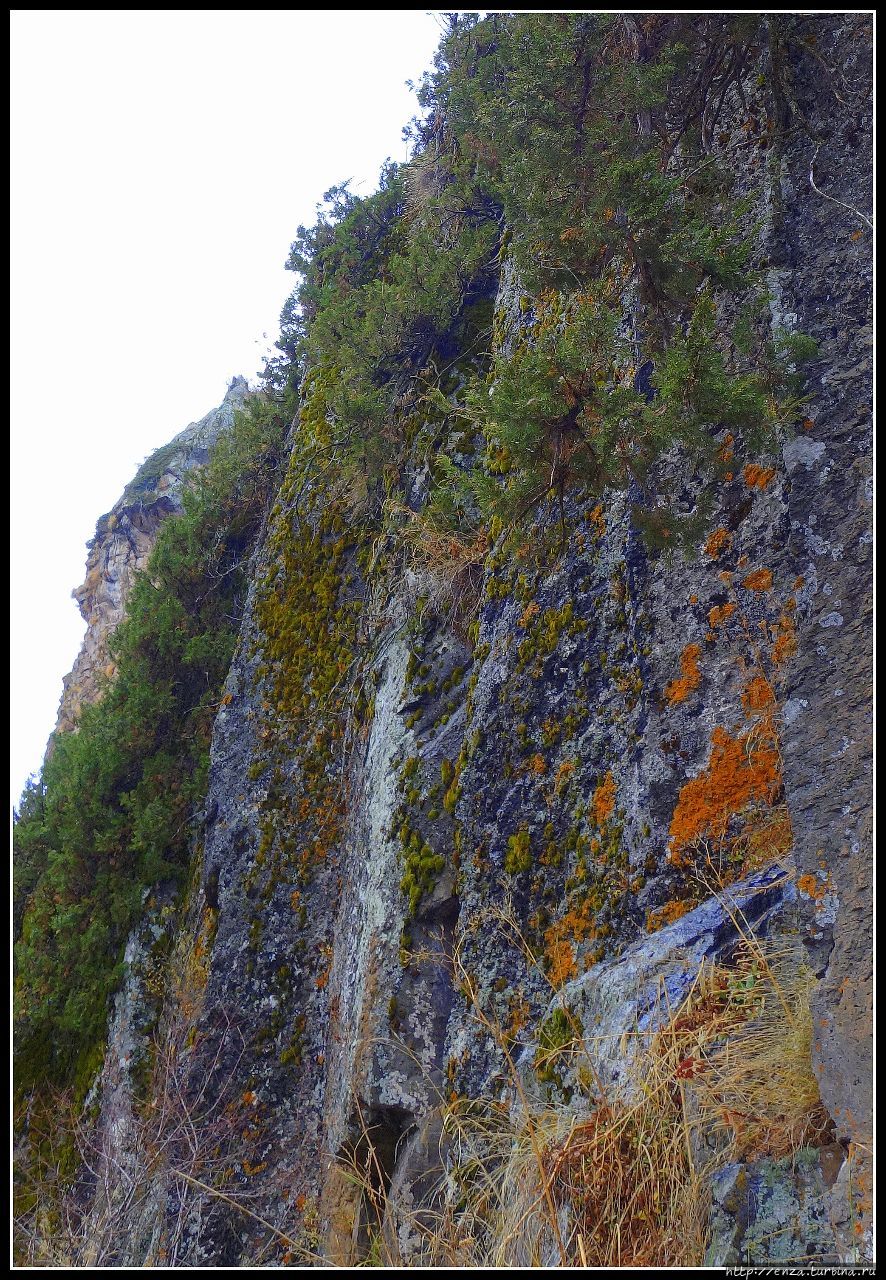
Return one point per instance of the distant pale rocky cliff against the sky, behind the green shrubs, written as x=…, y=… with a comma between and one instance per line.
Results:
x=124, y=543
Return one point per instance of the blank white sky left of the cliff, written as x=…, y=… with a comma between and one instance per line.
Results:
x=162, y=162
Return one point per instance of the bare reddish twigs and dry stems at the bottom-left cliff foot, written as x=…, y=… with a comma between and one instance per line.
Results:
x=157, y=1167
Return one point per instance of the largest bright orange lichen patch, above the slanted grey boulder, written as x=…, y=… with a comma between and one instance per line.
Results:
x=741, y=771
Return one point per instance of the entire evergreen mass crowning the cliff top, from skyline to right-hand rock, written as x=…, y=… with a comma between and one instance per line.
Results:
x=578, y=149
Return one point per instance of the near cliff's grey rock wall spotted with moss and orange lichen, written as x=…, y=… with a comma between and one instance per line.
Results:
x=477, y=830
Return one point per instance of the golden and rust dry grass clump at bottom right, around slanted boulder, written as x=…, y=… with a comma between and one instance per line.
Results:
x=624, y=1181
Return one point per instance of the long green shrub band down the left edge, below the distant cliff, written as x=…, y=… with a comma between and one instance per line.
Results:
x=112, y=812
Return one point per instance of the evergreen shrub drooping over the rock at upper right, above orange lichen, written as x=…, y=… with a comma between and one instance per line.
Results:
x=593, y=134
